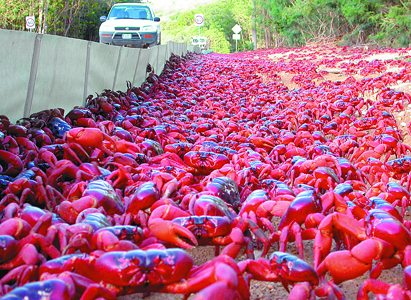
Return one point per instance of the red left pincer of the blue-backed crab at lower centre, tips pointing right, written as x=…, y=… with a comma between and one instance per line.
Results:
x=173, y=233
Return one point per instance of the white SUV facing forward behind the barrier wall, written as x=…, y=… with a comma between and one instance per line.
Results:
x=130, y=24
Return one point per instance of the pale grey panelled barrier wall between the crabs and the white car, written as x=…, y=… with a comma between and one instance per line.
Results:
x=41, y=72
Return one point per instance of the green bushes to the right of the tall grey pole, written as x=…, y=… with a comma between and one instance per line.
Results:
x=298, y=22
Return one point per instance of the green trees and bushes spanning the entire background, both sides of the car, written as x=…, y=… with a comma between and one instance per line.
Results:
x=278, y=23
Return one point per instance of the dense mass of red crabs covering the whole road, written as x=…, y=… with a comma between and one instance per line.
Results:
x=268, y=174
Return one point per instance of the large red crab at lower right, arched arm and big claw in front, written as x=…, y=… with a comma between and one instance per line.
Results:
x=384, y=239
